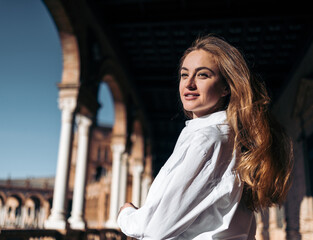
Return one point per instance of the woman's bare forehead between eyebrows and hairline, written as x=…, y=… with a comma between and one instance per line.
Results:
x=199, y=58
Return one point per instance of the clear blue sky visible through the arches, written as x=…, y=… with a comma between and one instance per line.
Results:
x=30, y=68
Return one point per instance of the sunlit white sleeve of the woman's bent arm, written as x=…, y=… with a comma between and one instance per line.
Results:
x=200, y=181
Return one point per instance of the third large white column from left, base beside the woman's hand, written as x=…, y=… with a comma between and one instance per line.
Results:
x=117, y=150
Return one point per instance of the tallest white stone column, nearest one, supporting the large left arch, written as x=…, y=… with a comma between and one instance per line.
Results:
x=57, y=219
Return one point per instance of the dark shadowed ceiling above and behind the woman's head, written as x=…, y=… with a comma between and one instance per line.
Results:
x=150, y=36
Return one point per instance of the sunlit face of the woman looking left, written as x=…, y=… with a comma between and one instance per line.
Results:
x=201, y=86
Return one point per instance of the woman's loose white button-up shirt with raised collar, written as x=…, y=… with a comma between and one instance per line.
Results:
x=197, y=193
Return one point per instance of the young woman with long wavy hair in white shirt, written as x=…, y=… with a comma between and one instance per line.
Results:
x=231, y=159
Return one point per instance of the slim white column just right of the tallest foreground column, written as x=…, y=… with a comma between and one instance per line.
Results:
x=77, y=220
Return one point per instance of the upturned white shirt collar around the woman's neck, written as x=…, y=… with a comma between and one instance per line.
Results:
x=207, y=120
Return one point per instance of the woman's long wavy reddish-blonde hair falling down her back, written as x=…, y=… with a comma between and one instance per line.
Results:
x=263, y=148
